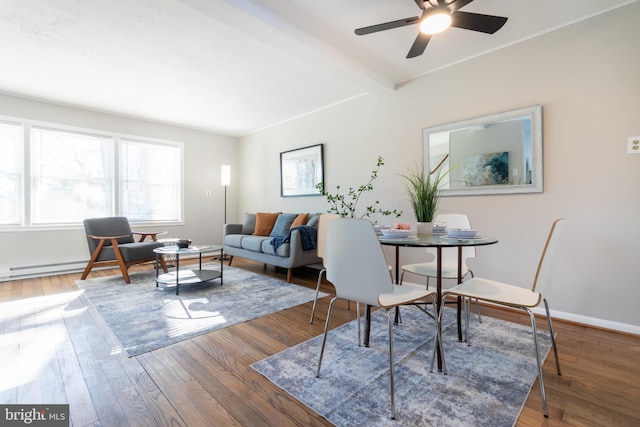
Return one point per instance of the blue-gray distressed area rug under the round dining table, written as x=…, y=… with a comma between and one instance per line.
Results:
x=487, y=384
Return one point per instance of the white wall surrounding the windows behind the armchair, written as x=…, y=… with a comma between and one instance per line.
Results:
x=204, y=153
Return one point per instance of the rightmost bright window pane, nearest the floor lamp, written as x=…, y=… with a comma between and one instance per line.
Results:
x=149, y=181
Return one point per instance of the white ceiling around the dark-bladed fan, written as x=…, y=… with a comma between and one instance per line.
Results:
x=237, y=66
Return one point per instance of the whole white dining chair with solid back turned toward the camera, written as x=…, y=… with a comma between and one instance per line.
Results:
x=356, y=266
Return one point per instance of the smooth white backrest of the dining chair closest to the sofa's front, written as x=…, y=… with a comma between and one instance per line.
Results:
x=355, y=262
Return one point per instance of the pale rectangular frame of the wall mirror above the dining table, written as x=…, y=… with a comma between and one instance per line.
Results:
x=536, y=186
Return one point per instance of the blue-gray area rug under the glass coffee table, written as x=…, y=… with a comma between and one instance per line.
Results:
x=145, y=317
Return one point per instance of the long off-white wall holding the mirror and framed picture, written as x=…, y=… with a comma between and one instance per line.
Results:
x=586, y=78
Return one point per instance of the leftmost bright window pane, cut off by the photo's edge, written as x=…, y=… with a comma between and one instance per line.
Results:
x=11, y=173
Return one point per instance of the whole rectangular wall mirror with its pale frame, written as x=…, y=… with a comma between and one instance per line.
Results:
x=494, y=154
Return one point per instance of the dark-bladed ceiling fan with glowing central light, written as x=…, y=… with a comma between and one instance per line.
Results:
x=437, y=16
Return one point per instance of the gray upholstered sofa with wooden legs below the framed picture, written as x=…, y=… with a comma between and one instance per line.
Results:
x=239, y=240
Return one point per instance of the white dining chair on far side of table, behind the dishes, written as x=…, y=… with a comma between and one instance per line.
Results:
x=449, y=256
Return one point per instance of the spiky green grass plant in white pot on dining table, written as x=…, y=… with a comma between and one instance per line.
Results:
x=424, y=194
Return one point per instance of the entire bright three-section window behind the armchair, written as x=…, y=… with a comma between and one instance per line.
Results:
x=52, y=176
